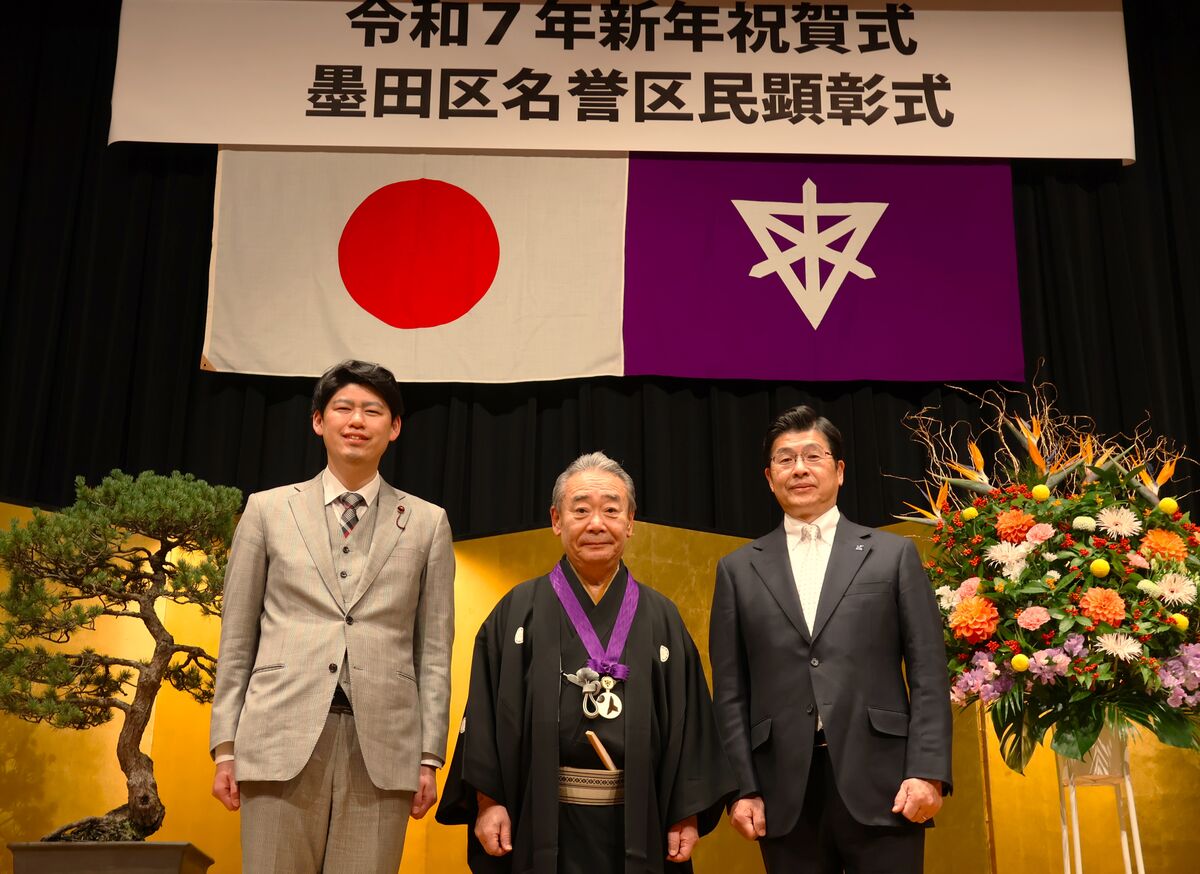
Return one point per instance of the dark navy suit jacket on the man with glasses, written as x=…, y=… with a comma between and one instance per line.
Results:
x=878, y=625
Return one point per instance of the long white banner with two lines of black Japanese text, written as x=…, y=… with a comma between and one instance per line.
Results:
x=974, y=80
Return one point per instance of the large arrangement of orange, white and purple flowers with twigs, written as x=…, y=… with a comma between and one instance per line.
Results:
x=1067, y=584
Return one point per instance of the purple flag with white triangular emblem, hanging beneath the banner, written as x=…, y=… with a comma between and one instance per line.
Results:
x=771, y=268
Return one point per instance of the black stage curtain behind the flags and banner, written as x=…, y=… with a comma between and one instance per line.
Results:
x=105, y=250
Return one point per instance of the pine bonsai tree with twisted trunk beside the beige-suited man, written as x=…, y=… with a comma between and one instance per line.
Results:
x=123, y=548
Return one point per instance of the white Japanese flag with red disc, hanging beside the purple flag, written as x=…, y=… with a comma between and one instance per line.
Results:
x=445, y=268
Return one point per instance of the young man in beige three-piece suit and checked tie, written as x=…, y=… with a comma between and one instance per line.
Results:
x=333, y=689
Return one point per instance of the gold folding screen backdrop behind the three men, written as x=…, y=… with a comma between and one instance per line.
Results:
x=997, y=822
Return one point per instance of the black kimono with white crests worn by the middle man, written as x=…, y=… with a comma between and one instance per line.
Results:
x=524, y=720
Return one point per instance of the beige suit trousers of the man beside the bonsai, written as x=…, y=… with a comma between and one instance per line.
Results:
x=329, y=818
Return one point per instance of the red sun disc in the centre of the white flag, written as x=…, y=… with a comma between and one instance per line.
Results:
x=418, y=254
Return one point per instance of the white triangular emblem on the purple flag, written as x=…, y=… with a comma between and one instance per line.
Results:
x=811, y=244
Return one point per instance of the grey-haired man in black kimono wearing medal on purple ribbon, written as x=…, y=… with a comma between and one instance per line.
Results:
x=586, y=649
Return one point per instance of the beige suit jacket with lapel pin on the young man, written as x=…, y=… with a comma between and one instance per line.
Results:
x=286, y=631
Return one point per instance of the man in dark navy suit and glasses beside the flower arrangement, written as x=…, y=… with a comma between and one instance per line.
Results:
x=830, y=677
